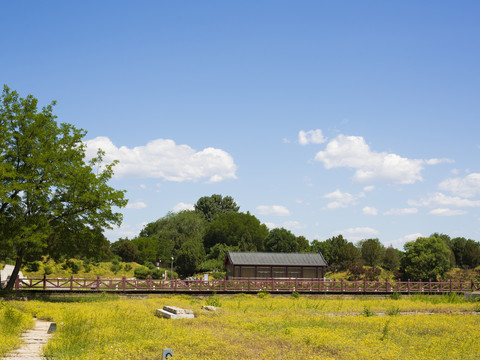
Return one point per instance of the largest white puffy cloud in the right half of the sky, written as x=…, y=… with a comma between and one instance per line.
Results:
x=354, y=152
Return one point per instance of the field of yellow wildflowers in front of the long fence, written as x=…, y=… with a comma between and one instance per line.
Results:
x=263, y=327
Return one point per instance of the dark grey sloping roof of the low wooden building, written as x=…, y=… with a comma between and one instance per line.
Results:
x=276, y=259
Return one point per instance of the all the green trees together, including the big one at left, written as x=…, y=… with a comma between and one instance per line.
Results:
x=54, y=202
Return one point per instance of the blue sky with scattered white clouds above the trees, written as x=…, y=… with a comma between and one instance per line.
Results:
x=326, y=118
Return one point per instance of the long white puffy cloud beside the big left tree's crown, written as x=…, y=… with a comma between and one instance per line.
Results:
x=162, y=158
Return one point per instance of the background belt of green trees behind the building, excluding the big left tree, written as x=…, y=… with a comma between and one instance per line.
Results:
x=199, y=239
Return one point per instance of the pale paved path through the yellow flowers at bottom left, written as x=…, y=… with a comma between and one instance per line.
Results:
x=32, y=342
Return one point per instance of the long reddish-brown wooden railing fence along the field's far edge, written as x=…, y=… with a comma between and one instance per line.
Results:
x=312, y=286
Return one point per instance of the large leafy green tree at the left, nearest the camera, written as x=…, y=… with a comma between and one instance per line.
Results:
x=47, y=187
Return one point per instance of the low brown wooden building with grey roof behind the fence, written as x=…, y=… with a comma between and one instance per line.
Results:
x=241, y=265
